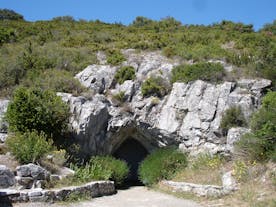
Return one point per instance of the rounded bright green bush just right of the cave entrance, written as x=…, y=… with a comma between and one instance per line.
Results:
x=161, y=164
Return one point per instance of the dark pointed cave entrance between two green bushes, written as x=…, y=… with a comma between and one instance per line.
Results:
x=133, y=152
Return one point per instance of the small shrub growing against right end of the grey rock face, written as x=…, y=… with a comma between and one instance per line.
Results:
x=233, y=117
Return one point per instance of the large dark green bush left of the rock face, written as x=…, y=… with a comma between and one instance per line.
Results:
x=35, y=109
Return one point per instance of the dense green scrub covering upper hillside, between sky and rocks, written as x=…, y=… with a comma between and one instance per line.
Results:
x=29, y=49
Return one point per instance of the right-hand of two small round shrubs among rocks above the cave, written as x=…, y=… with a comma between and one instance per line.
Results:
x=154, y=86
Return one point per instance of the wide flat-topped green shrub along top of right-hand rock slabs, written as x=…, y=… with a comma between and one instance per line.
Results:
x=212, y=72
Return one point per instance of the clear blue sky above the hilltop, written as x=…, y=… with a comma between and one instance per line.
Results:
x=256, y=12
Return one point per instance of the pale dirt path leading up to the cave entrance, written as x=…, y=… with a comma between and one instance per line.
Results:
x=134, y=197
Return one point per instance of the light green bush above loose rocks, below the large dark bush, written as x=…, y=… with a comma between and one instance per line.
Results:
x=29, y=146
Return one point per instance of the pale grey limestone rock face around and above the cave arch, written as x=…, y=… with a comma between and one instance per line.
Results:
x=189, y=116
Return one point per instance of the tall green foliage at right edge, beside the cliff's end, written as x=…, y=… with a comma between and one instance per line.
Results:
x=260, y=144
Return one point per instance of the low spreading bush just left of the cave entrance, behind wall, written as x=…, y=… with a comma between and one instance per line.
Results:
x=103, y=168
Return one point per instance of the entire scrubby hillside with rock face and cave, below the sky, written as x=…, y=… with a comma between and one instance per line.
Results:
x=157, y=103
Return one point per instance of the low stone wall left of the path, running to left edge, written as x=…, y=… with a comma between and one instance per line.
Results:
x=94, y=189
